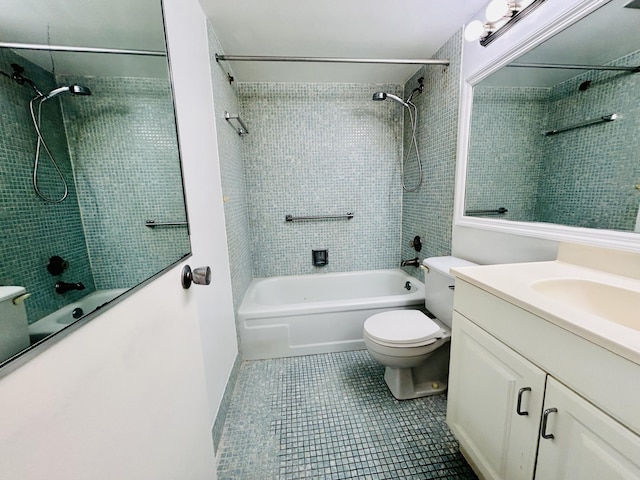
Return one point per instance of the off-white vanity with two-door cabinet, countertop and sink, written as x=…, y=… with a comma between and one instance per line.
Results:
x=545, y=367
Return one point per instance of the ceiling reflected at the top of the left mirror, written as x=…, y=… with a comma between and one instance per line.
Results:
x=121, y=24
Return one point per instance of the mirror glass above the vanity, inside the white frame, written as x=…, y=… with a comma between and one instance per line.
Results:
x=559, y=145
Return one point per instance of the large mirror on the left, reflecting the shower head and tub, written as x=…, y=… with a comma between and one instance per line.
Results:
x=91, y=188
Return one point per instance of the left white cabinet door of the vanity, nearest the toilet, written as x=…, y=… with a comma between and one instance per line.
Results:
x=494, y=404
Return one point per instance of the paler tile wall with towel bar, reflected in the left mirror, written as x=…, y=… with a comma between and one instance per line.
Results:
x=123, y=145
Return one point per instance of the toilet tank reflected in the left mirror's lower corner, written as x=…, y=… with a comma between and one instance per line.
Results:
x=13, y=322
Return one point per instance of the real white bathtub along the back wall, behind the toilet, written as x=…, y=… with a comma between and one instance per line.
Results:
x=321, y=313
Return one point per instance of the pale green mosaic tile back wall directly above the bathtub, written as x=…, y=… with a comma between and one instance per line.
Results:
x=322, y=149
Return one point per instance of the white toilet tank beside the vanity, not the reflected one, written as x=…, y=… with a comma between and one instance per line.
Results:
x=438, y=286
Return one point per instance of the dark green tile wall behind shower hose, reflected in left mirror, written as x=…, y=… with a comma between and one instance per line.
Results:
x=32, y=230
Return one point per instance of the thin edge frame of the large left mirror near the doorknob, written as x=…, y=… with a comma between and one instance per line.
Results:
x=13, y=363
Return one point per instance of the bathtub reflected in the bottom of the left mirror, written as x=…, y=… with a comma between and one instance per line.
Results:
x=61, y=318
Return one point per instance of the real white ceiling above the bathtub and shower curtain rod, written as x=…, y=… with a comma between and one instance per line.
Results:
x=335, y=28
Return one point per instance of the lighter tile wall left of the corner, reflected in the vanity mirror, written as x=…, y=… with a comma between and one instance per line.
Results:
x=505, y=163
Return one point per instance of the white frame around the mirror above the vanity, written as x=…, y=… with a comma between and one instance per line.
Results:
x=529, y=33
